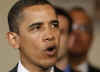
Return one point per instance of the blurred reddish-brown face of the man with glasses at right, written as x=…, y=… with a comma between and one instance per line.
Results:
x=80, y=38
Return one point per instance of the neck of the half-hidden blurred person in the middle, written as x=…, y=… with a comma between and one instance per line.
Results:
x=62, y=64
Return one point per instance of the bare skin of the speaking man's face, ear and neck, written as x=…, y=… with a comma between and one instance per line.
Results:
x=38, y=30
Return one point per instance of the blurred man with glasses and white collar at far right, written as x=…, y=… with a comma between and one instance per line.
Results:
x=80, y=41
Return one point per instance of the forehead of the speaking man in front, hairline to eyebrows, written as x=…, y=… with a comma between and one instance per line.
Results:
x=38, y=13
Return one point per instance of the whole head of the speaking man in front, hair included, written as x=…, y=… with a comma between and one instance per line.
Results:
x=34, y=31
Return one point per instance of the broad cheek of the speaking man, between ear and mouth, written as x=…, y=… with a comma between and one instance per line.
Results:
x=30, y=46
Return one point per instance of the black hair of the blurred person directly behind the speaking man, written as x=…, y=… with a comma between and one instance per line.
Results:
x=63, y=12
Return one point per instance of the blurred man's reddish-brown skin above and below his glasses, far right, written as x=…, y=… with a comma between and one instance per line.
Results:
x=79, y=41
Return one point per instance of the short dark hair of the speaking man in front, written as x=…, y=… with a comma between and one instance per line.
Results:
x=15, y=11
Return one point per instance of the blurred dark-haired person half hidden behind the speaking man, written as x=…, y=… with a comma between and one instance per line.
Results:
x=65, y=26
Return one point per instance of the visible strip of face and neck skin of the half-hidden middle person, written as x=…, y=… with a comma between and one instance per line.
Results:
x=62, y=52
